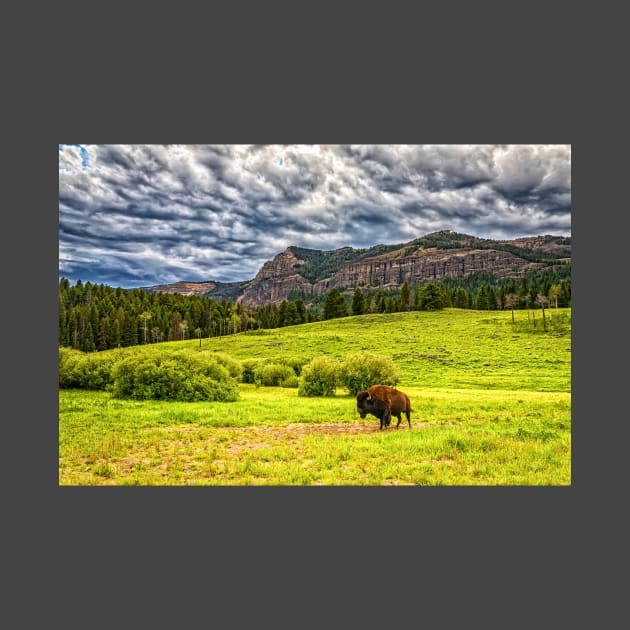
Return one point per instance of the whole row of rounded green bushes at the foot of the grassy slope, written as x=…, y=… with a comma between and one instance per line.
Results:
x=208, y=375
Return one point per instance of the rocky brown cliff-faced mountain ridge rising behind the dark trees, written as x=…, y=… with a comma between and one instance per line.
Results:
x=305, y=272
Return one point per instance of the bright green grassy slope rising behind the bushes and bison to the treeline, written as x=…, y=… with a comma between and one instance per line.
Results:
x=453, y=348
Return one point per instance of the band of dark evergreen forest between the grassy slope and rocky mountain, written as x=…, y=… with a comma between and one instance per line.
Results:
x=96, y=317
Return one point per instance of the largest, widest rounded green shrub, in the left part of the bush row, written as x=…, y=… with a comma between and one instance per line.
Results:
x=181, y=377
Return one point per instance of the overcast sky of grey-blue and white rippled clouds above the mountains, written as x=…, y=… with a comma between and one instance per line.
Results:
x=137, y=215
